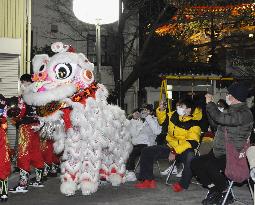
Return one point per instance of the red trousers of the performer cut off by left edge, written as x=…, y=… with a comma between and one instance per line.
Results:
x=5, y=164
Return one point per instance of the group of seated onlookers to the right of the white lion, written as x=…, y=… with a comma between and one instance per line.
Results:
x=182, y=132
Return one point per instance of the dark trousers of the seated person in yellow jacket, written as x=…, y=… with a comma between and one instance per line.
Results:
x=153, y=153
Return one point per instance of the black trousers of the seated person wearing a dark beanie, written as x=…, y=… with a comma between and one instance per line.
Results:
x=210, y=170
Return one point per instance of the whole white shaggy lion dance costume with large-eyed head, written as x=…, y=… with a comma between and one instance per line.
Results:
x=73, y=110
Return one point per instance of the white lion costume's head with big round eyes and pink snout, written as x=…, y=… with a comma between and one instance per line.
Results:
x=58, y=77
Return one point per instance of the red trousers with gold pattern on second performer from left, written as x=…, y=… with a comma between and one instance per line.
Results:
x=29, y=152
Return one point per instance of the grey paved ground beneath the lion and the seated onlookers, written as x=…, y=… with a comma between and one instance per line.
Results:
x=125, y=194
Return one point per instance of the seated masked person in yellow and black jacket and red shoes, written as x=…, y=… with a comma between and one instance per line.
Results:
x=182, y=138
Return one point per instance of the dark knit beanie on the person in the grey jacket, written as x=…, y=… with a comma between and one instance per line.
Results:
x=239, y=91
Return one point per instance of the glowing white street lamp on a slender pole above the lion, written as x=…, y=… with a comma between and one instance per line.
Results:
x=97, y=12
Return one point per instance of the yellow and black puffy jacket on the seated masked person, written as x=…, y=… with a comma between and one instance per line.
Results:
x=182, y=130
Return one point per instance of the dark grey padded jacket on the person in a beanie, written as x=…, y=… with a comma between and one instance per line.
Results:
x=238, y=121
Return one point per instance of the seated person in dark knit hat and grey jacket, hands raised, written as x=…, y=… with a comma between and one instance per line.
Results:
x=238, y=121
